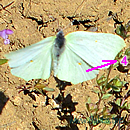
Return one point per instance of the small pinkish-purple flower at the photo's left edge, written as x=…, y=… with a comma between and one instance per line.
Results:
x=4, y=34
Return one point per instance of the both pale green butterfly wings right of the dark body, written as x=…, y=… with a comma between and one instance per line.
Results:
x=84, y=50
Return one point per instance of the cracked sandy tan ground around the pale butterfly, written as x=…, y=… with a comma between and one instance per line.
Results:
x=31, y=21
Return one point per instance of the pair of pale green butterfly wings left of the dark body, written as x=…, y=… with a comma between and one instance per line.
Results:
x=32, y=62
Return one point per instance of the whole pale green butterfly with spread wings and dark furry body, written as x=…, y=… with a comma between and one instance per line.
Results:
x=69, y=57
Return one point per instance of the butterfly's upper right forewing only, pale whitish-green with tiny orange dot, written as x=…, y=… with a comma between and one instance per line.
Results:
x=95, y=47
